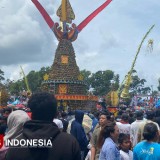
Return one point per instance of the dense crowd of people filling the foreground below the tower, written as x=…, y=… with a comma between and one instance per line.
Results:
x=130, y=135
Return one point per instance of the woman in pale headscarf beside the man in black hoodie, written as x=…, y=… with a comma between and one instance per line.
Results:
x=15, y=124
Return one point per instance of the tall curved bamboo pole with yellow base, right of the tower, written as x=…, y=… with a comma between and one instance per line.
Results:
x=128, y=79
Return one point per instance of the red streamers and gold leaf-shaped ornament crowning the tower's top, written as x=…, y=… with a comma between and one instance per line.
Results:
x=66, y=15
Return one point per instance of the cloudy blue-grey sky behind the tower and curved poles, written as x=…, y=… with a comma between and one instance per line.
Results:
x=108, y=42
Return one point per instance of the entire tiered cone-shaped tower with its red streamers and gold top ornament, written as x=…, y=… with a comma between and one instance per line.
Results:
x=64, y=79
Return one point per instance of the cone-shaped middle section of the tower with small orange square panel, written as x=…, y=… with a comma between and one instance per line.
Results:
x=64, y=62
